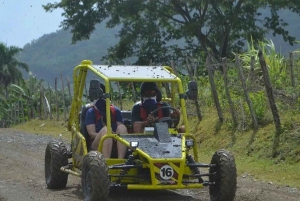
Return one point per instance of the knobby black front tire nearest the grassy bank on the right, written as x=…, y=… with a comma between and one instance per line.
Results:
x=225, y=178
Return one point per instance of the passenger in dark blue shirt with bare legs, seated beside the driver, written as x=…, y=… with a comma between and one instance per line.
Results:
x=95, y=122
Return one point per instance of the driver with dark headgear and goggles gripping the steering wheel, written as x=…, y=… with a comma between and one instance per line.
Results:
x=150, y=100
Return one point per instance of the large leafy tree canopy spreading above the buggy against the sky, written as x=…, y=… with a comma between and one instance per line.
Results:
x=151, y=29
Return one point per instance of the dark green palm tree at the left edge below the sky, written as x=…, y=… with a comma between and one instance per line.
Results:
x=9, y=73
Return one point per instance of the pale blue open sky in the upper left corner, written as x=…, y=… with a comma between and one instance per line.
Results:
x=22, y=21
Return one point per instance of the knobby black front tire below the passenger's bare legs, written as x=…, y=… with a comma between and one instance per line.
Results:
x=95, y=181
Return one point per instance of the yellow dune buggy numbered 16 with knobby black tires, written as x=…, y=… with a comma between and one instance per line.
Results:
x=159, y=158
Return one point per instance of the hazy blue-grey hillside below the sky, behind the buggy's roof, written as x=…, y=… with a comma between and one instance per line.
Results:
x=53, y=54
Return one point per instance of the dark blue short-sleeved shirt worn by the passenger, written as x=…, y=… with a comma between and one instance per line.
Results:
x=90, y=118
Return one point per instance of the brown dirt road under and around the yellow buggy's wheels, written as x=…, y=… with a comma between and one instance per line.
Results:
x=22, y=178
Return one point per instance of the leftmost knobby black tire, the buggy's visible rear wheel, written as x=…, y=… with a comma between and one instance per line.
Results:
x=56, y=156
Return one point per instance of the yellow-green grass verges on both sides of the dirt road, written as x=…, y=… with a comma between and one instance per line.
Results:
x=252, y=151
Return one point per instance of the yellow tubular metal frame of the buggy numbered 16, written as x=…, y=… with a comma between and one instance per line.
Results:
x=79, y=148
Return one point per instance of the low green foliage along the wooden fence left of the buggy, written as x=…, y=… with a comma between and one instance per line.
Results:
x=31, y=99
